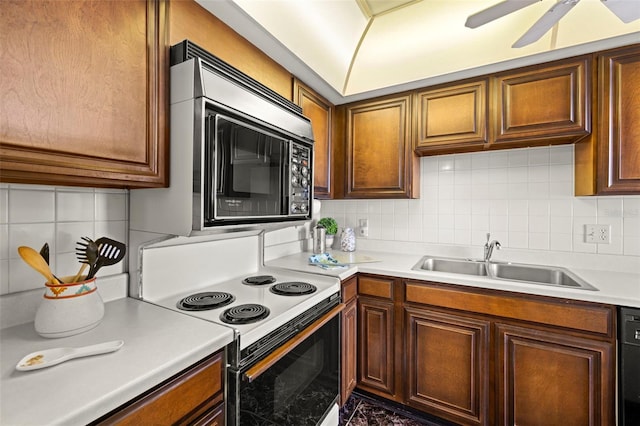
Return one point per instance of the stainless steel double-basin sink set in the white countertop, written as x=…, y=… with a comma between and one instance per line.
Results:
x=535, y=274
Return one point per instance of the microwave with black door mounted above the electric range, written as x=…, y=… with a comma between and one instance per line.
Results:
x=241, y=155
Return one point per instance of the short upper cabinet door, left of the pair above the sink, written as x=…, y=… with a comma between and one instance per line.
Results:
x=452, y=118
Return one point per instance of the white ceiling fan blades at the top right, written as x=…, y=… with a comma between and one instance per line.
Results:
x=626, y=10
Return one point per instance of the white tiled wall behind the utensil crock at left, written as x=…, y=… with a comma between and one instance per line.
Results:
x=32, y=215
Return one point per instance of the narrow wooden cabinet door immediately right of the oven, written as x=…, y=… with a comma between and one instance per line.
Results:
x=349, y=350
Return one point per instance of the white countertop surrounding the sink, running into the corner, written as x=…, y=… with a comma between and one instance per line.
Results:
x=616, y=288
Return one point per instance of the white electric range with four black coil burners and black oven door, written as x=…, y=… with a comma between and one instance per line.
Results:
x=283, y=367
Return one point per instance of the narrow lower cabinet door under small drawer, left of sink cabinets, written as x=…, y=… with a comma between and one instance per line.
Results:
x=376, y=366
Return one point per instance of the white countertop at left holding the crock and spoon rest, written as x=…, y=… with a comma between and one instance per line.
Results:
x=158, y=343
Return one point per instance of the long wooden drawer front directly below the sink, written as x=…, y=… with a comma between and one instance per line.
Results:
x=581, y=316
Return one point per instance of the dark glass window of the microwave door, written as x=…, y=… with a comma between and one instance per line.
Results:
x=250, y=166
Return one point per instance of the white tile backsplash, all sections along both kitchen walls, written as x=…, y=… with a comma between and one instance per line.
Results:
x=523, y=197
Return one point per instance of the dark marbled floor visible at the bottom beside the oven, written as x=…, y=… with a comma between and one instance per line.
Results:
x=363, y=410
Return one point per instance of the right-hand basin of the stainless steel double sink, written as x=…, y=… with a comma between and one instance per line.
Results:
x=548, y=275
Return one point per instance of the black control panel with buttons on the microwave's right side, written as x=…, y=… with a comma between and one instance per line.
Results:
x=300, y=179
